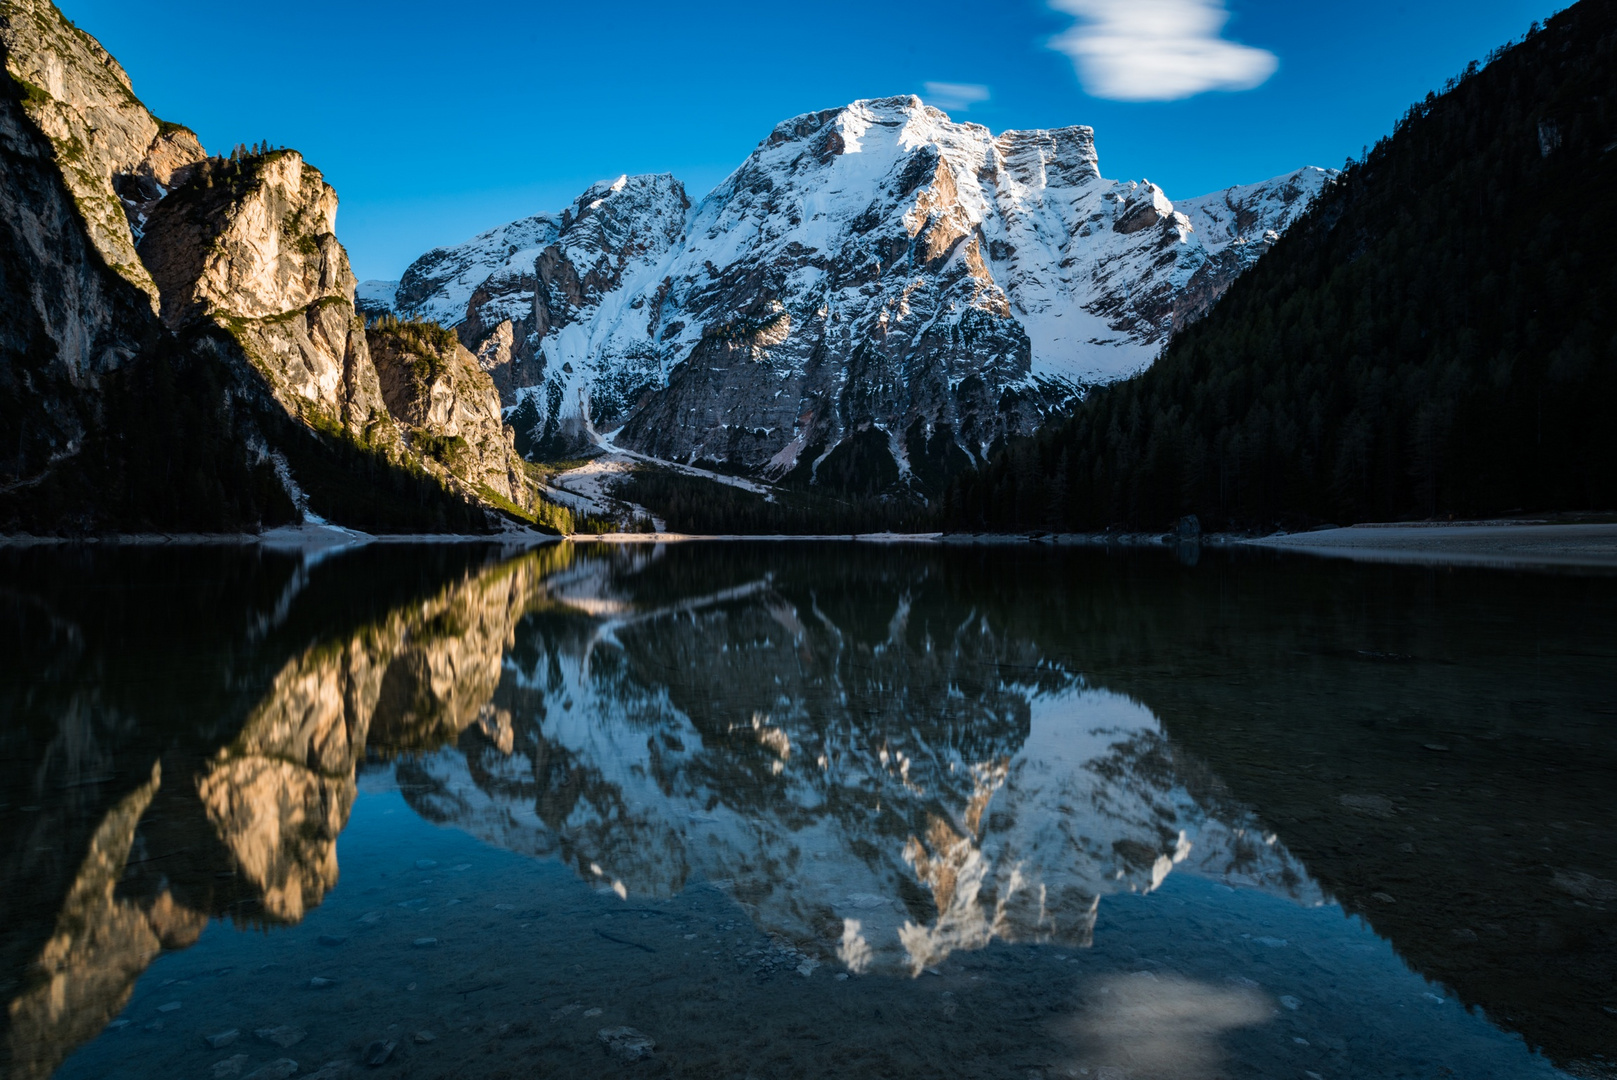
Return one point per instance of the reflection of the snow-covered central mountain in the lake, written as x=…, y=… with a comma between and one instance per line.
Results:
x=874, y=767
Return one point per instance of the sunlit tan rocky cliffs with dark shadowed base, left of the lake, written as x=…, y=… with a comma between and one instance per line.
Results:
x=179, y=342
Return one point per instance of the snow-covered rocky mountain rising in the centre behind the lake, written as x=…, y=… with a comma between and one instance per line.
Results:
x=877, y=295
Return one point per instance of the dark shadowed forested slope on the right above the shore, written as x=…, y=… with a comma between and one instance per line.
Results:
x=1433, y=339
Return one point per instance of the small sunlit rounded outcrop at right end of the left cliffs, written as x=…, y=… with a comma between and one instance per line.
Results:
x=449, y=408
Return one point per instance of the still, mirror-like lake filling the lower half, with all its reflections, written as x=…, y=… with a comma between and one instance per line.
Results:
x=758, y=811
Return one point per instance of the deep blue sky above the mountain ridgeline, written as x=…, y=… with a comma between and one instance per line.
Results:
x=439, y=120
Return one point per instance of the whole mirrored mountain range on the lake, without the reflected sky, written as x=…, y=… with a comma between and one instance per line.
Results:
x=885, y=756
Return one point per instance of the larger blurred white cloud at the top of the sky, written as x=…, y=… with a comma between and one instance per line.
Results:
x=1159, y=51
